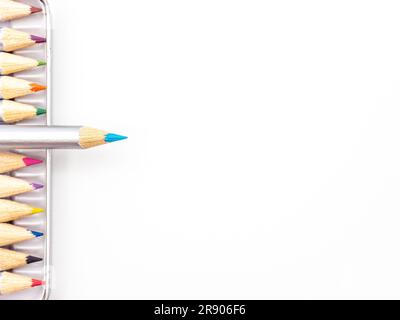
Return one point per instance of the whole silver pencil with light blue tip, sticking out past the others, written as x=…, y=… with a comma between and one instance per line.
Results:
x=54, y=137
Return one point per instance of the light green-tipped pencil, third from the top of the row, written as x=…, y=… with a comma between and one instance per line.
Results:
x=12, y=63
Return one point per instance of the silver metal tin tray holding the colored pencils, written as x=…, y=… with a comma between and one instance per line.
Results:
x=37, y=24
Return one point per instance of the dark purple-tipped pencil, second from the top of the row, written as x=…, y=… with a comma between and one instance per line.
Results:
x=11, y=40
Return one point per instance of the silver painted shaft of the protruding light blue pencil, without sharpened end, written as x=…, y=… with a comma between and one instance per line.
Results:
x=39, y=137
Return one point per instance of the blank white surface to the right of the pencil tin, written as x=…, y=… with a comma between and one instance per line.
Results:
x=264, y=152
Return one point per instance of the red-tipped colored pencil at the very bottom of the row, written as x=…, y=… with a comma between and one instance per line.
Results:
x=11, y=283
